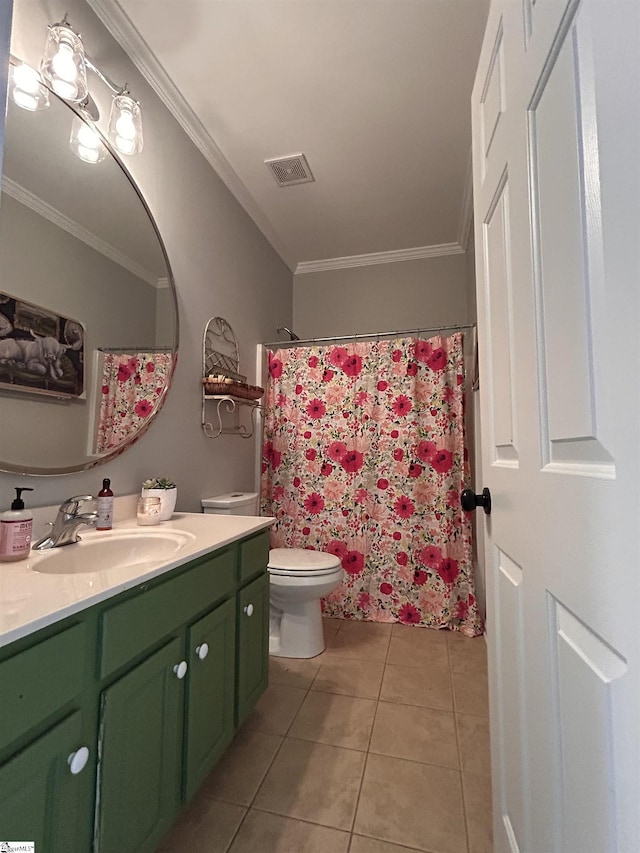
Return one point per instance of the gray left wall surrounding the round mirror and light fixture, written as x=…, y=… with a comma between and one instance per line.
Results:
x=222, y=266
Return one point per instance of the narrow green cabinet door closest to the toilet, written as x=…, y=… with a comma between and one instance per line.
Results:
x=253, y=645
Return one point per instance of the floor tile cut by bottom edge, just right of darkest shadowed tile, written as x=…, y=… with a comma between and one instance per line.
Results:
x=262, y=832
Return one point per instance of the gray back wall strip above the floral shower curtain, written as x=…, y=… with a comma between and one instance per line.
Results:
x=381, y=297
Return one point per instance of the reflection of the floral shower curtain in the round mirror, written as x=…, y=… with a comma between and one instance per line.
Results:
x=132, y=384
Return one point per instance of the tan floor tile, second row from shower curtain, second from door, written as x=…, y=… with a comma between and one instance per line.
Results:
x=430, y=686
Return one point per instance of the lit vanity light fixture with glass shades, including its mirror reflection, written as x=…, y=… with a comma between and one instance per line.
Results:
x=64, y=68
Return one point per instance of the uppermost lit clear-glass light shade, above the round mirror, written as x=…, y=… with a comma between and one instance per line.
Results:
x=63, y=64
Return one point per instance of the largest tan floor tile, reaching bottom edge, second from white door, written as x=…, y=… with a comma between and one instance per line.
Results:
x=419, y=805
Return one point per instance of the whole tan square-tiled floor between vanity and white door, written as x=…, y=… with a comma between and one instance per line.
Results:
x=378, y=745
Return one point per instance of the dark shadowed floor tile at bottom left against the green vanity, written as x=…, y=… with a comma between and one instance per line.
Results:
x=206, y=826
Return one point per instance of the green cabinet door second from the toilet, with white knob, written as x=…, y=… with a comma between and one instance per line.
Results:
x=211, y=644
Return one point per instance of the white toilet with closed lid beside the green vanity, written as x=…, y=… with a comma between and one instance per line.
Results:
x=298, y=579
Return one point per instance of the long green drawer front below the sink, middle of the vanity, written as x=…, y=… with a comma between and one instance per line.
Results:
x=136, y=624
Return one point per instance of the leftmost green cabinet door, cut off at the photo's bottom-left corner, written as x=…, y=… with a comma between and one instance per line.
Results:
x=41, y=800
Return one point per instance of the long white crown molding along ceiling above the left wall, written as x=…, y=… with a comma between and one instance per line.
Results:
x=121, y=28
